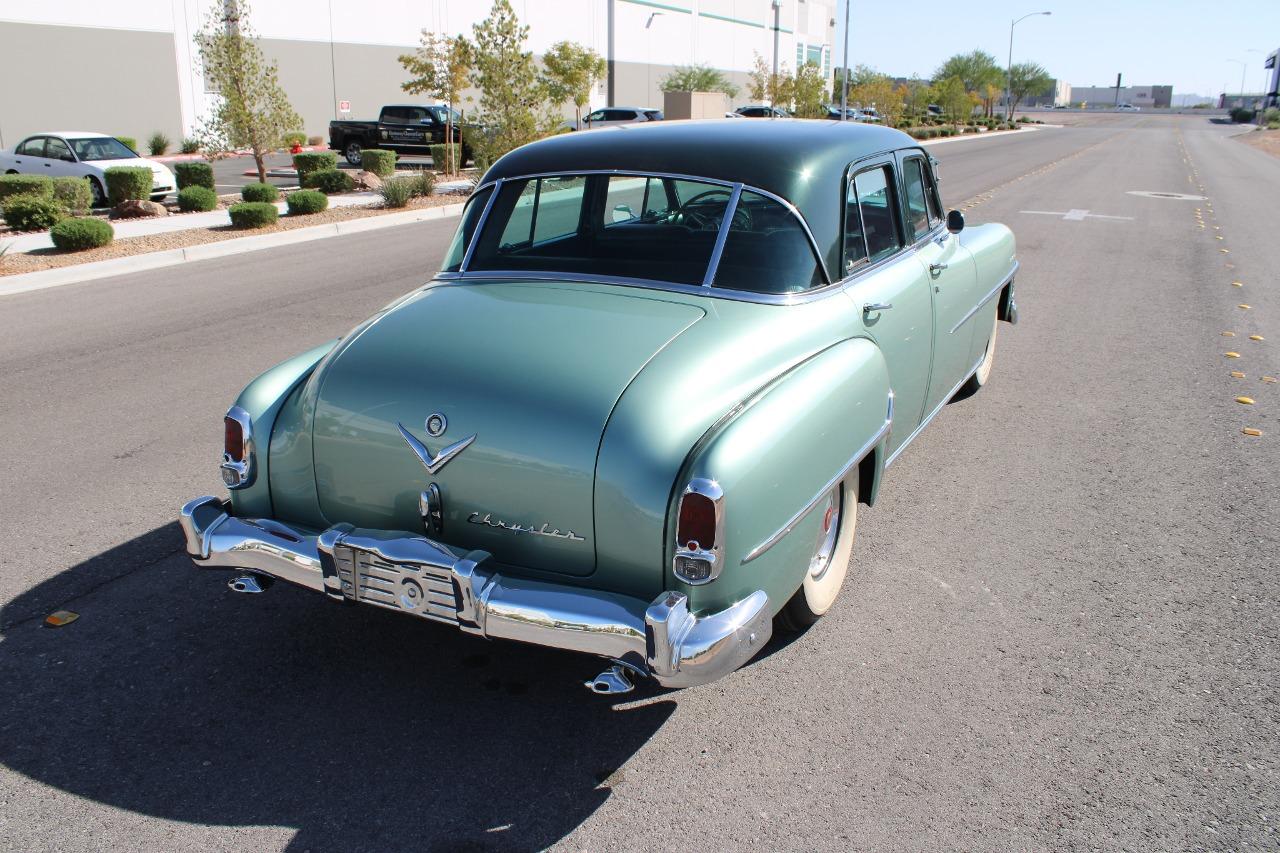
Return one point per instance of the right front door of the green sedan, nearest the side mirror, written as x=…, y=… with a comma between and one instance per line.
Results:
x=953, y=277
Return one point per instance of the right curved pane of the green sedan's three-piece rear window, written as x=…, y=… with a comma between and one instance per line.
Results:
x=767, y=250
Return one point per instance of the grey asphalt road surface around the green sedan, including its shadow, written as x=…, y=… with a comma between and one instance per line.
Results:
x=1059, y=631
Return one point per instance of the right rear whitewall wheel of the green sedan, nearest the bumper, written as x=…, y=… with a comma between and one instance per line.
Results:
x=830, y=562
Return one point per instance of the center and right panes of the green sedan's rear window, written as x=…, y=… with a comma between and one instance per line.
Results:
x=639, y=227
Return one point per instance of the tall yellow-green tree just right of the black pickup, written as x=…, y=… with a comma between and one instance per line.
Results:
x=513, y=97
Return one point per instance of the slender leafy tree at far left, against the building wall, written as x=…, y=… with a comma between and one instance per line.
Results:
x=253, y=111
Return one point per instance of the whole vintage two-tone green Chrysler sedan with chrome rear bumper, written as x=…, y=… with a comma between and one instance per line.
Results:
x=637, y=410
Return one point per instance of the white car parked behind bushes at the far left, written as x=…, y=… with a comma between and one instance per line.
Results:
x=88, y=156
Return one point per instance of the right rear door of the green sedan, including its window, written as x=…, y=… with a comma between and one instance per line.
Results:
x=889, y=290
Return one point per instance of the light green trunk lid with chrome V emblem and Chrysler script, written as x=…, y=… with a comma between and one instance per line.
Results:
x=532, y=371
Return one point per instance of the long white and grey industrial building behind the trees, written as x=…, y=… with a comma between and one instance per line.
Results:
x=130, y=67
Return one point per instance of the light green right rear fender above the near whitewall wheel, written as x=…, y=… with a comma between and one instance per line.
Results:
x=825, y=419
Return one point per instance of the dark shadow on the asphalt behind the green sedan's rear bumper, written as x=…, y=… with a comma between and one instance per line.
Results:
x=176, y=699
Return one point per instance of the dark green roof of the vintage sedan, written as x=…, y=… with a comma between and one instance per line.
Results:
x=802, y=161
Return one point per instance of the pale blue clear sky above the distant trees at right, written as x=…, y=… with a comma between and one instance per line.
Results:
x=1086, y=43
